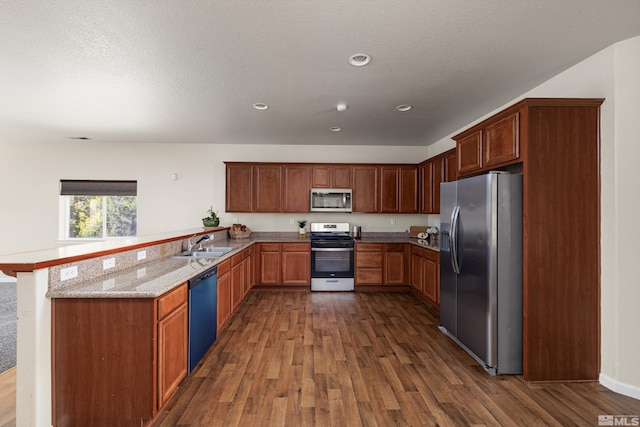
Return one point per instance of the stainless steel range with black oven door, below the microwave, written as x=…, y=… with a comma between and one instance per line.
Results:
x=332, y=249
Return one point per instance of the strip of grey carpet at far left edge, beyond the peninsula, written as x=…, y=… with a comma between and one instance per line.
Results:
x=8, y=319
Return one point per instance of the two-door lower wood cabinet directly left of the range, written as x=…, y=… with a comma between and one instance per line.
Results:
x=284, y=264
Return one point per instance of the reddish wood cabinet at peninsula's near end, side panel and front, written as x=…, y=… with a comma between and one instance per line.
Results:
x=116, y=361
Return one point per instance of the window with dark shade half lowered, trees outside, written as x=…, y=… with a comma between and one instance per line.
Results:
x=98, y=209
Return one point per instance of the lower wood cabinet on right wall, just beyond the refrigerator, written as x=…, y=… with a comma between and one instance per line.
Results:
x=425, y=273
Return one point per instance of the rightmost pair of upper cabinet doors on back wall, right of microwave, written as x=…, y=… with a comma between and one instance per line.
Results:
x=399, y=189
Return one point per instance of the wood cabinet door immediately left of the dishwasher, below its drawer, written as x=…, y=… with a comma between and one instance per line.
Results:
x=173, y=351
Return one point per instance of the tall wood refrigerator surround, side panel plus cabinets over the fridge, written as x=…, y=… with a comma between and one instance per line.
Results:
x=558, y=143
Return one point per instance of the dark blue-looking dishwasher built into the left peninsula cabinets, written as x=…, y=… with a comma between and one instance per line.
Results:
x=203, y=311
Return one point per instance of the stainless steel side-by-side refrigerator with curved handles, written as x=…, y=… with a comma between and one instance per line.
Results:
x=481, y=268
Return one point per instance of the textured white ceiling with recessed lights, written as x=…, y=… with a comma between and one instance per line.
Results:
x=189, y=71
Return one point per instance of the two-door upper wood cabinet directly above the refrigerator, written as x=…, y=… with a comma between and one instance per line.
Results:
x=496, y=144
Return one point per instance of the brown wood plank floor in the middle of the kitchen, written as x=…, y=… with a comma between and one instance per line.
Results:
x=297, y=358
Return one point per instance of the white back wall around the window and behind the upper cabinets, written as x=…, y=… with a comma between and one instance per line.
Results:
x=31, y=173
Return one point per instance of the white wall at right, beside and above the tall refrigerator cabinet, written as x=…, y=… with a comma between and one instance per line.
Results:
x=611, y=74
